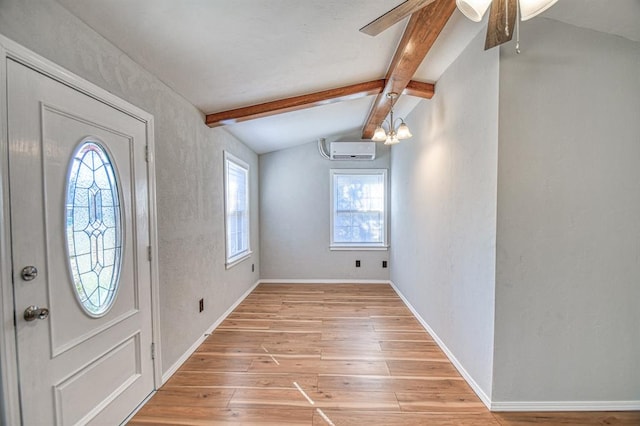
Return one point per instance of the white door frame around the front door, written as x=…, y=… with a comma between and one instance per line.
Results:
x=9, y=395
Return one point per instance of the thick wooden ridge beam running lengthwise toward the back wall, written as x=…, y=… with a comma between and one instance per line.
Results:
x=421, y=32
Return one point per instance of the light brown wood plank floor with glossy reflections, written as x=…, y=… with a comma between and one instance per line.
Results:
x=329, y=354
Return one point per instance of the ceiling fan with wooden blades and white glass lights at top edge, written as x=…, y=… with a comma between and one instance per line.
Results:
x=502, y=17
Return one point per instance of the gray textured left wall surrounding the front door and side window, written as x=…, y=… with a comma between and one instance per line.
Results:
x=188, y=167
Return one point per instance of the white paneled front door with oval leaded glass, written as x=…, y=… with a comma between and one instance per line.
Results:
x=80, y=231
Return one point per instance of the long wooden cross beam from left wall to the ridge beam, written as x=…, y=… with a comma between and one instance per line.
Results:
x=325, y=97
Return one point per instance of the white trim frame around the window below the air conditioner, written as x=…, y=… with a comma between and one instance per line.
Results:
x=384, y=245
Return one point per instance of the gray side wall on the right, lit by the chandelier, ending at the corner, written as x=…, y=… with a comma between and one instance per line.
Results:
x=444, y=210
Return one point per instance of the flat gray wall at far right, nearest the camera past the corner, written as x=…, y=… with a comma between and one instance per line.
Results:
x=568, y=237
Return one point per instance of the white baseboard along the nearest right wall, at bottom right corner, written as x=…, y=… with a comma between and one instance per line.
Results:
x=565, y=406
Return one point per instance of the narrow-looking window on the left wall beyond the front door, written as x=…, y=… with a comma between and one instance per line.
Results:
x=236, y=192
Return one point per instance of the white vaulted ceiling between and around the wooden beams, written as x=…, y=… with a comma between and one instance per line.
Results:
x=224, y=54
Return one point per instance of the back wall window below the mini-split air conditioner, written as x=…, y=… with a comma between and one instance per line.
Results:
x=358, y=209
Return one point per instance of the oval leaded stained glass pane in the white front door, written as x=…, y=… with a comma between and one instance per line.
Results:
x=93, y=228
